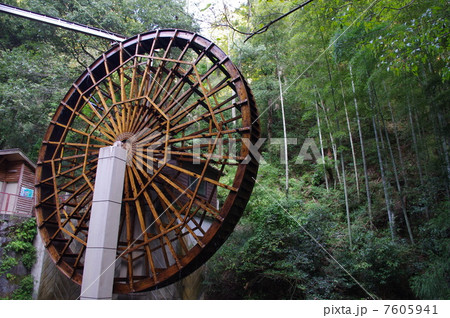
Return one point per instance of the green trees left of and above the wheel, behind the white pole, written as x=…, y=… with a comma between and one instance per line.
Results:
x=38, y=62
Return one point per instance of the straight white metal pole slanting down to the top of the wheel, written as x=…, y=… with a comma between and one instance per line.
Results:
x=62, y=23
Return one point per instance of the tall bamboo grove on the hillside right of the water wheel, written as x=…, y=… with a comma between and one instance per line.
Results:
x=368, y=80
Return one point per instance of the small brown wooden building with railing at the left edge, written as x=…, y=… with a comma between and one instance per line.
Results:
x=17, y=173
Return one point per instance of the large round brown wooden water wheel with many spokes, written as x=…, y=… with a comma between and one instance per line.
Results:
x=187, y=117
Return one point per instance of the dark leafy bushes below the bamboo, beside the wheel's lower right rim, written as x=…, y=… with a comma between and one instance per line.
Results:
x=272, y=256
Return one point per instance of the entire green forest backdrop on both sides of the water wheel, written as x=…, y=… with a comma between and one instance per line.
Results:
x=366, y=80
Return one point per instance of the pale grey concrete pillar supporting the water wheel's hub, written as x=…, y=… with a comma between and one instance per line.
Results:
x=98, y=274
